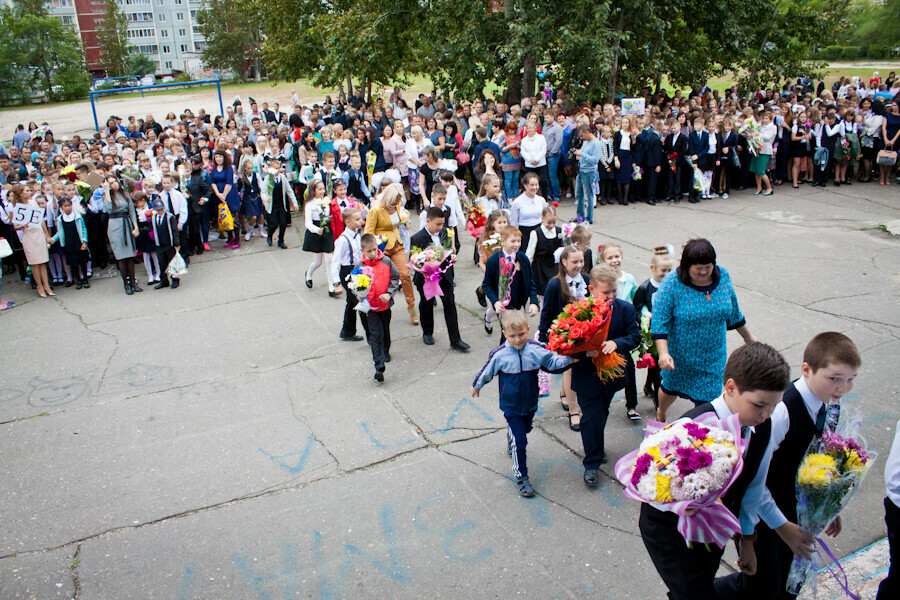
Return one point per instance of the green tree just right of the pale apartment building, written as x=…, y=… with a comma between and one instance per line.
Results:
x=233, y=35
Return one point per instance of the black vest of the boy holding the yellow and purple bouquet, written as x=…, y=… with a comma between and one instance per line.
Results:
x=782, y=478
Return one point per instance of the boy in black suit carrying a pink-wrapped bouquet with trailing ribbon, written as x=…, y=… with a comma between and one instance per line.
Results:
x=434, y=234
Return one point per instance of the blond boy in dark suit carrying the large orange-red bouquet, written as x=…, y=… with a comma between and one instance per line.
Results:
x=595, y=396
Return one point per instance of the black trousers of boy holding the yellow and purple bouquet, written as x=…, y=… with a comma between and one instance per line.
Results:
x=773, y=563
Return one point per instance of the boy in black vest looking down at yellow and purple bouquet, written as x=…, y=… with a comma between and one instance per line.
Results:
x=811, y=404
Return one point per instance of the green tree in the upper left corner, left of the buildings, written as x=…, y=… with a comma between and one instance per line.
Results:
x=47, y=55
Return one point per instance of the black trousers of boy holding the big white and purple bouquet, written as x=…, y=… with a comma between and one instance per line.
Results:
x=688, y=572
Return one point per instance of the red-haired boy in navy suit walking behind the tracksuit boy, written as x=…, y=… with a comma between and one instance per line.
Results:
x=521, y=289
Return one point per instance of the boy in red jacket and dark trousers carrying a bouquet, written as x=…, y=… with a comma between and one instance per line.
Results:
x=385, y=283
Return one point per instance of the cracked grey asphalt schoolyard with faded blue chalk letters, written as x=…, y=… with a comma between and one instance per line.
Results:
x=219, y=441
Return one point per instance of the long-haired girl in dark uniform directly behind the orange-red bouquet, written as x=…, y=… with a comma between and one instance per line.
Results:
x=570, y=284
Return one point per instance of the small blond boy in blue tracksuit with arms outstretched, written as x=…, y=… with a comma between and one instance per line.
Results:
x=517, y=363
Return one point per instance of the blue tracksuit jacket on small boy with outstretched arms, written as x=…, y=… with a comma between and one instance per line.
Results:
x=517, y=371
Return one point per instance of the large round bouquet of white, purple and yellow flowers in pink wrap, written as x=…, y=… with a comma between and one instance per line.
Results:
x=688, y=465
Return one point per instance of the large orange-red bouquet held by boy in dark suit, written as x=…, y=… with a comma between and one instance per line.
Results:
x=583, y=326
